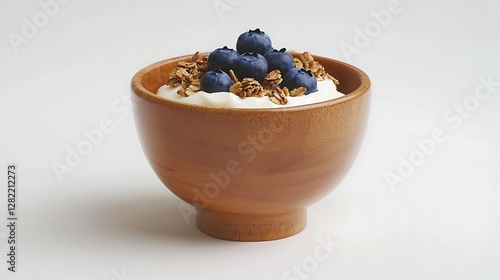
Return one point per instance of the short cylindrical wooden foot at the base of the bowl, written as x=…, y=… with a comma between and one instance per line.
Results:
x=240, y=227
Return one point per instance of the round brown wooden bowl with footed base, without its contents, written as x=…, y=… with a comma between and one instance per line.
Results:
x=251, y=173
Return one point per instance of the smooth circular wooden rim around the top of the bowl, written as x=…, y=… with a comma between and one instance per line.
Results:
x=139, y=90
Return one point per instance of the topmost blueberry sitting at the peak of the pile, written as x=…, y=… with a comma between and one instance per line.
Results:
x=254, y=41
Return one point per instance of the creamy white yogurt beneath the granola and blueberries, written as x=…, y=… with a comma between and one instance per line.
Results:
x=326, y=91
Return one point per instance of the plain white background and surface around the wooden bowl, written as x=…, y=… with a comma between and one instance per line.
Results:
x=111, y=218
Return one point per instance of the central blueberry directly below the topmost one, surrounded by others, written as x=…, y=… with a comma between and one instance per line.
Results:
x=250, y=65
